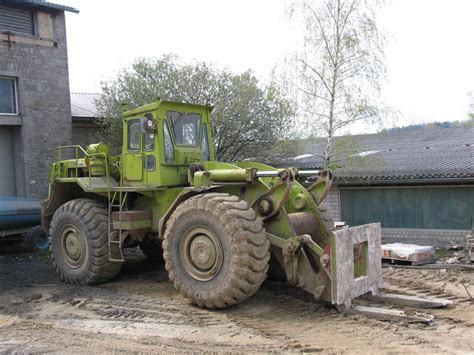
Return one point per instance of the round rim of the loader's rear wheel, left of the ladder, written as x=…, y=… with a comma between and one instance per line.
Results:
x=73, y=246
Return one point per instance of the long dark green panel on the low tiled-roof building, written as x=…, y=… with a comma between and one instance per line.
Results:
x=447, y=207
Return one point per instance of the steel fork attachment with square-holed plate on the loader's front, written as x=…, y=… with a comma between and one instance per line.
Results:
x=348, y=268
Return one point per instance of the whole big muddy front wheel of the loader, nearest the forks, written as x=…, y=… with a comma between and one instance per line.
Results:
x=216, y=250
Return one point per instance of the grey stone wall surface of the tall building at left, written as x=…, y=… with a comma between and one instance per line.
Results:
x=44, y=121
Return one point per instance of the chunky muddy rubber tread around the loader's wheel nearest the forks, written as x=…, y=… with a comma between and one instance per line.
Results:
x=250, y=245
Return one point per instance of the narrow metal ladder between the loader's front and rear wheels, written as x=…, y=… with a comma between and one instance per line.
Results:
x=116, y=236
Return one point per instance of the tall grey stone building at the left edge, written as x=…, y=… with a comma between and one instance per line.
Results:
x=35, y=111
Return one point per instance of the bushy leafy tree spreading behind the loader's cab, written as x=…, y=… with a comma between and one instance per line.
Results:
x=249, y=118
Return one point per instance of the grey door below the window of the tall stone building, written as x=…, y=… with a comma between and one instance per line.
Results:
x=7, y=163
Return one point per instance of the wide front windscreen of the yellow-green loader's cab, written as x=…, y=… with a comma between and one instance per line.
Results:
x=185, y=127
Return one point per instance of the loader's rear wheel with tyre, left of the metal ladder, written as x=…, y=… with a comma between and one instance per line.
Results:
x=79, y=243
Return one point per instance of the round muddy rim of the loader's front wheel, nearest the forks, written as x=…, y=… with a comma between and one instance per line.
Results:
x=201, y=253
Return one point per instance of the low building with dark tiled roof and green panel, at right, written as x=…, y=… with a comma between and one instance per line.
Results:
x=418, y=182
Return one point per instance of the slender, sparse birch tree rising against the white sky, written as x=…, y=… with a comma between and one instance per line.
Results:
x=337, y=74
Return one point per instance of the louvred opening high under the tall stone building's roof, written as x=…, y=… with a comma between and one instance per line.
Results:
x=17, y=21
